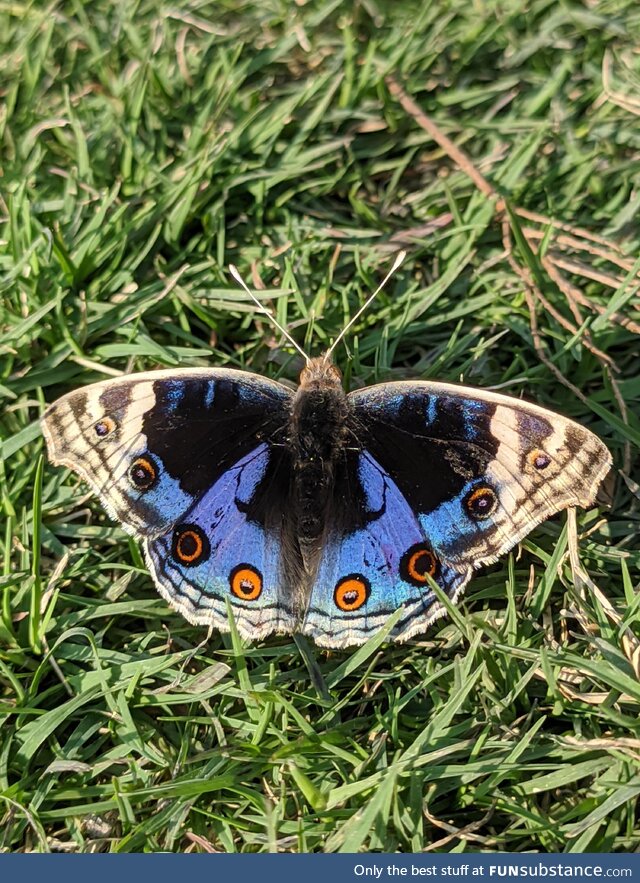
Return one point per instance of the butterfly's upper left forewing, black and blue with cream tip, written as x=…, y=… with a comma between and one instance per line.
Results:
x=151, y=444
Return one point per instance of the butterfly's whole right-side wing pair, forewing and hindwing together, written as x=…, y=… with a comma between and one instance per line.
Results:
x=447, y=479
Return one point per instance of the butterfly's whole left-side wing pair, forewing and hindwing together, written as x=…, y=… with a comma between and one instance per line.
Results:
x=192, y=462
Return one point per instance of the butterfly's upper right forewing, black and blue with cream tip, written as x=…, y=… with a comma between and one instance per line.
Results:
x=480, y=469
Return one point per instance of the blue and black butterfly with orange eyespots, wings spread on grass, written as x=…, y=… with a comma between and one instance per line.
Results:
x=313, y=511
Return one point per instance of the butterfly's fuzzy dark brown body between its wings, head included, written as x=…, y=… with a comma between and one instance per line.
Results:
x=319, y=424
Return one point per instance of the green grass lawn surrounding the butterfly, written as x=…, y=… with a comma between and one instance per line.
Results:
x=145, y=147
